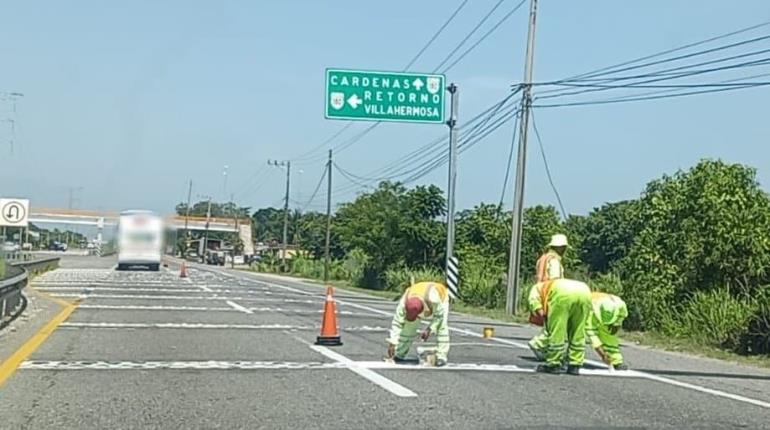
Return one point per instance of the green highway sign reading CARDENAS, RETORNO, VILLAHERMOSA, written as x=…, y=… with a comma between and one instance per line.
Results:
x=384, y=96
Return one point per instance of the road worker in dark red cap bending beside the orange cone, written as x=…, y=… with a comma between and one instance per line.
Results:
x=421, y=301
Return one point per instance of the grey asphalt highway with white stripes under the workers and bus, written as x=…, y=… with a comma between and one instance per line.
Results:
x=228, y=349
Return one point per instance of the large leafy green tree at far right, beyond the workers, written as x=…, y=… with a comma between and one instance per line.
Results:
x=702, y=229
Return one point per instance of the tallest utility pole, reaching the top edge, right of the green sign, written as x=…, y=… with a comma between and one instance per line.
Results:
x=514, y=263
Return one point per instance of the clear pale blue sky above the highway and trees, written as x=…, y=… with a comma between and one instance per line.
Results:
x=130, y=100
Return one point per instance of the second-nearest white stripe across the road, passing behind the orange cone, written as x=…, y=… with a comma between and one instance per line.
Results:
x=108, y=325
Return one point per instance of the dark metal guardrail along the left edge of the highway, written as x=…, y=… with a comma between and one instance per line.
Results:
x=12, y=301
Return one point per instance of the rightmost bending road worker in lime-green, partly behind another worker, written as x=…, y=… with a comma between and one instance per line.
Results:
x=607, y=314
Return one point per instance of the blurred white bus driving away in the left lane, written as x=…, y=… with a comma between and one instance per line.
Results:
x=140, y=239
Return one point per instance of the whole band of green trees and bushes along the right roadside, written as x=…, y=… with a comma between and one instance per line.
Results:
x=689, y=255
